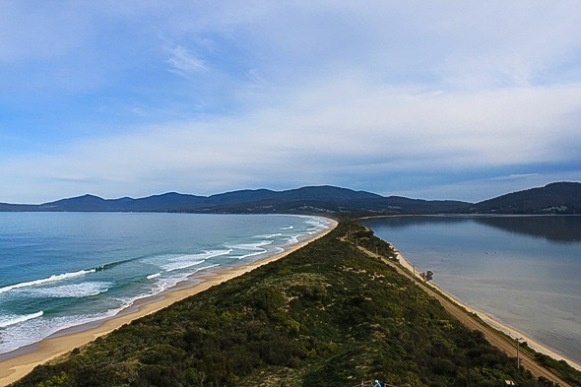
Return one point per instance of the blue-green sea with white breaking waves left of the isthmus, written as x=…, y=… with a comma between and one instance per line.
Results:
x=61, y=270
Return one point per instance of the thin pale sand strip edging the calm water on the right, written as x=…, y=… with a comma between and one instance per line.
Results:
x=509, y=331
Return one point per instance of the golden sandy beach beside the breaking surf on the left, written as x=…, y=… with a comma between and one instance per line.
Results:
x=17, y=367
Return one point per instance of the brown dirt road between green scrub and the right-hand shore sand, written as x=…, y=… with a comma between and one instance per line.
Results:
x=495, y=338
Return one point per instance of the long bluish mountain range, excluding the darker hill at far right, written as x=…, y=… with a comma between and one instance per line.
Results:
x=313, y=199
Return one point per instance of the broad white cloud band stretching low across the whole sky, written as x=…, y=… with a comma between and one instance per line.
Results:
x=347, y=128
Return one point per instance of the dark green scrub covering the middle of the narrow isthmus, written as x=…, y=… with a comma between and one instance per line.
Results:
x=327, y=315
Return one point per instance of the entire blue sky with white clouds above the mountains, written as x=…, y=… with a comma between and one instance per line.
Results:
x=450, y=100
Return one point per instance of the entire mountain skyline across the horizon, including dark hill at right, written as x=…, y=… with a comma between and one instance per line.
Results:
x=561, y=197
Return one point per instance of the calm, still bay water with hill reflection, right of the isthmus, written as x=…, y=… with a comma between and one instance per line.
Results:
x=524, y=271
